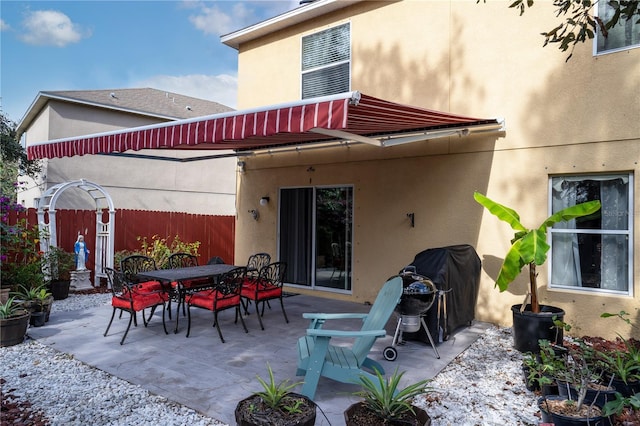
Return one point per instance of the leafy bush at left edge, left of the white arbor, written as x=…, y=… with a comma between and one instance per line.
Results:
x=20, y=257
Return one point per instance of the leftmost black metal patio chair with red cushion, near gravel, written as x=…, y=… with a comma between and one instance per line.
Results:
x=132, y=298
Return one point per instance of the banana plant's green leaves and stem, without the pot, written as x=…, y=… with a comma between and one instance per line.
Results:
x=529, y=246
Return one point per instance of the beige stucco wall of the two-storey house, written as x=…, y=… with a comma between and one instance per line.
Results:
x=482, y=60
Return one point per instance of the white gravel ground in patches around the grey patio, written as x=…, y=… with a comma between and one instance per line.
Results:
x=482, y=386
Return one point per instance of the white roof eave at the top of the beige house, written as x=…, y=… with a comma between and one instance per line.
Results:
x=308, y=10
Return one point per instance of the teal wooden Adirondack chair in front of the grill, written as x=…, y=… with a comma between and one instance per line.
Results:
x=318, y=357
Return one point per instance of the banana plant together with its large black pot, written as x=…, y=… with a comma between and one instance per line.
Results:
x=531, y=322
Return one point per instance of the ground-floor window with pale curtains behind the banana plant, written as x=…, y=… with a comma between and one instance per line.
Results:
x=593, y=253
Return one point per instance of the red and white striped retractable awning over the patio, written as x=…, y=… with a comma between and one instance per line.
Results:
x=348, y=116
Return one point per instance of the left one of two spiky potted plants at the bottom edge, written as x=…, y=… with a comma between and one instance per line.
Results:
x=276, y=405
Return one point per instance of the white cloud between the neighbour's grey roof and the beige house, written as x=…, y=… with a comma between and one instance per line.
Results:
x=222, y=88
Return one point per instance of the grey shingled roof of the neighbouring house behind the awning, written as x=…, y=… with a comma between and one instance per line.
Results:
x=166, y=106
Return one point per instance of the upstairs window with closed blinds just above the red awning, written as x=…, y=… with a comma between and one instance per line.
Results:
x=326, y=62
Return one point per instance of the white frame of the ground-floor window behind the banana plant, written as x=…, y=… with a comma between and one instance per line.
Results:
x=628, y=232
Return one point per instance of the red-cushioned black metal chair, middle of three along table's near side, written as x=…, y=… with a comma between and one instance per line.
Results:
x=225, y=295
